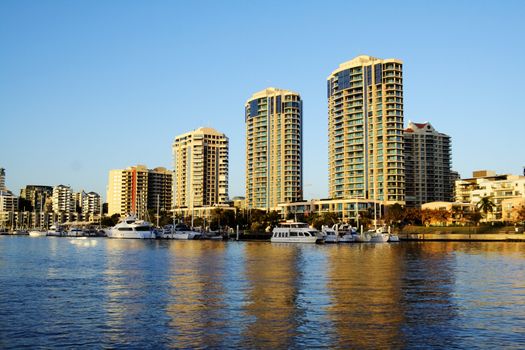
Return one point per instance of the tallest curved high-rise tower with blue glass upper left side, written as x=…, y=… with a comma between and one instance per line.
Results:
x=365, y=130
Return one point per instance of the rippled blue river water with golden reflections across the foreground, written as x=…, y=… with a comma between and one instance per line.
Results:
x=103, y=293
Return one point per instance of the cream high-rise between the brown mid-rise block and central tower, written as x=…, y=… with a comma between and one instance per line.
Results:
x=200, y=160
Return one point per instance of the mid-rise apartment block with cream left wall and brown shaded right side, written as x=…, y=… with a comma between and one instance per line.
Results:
x=129, y=190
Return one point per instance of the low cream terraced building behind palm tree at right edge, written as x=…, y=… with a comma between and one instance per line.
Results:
x=500, y=189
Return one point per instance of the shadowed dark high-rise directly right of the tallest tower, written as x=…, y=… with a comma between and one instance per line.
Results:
x=427, y=165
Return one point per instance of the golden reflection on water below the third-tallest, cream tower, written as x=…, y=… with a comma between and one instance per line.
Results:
x=196, y=296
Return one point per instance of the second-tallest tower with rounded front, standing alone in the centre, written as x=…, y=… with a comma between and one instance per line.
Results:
x=274, y=147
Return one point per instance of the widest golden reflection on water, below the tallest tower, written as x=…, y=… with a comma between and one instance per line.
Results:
x=364, y=285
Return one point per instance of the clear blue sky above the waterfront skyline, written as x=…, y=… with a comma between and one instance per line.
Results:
x=89, y=86
